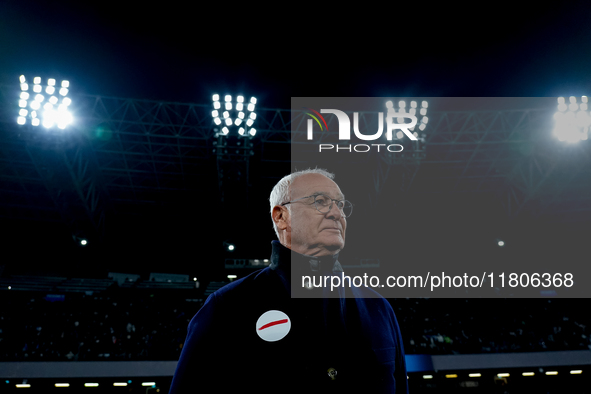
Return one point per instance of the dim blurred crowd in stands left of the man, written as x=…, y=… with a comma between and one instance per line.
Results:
x=94, y=327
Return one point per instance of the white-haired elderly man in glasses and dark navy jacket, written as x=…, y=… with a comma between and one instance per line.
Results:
x=254, y=334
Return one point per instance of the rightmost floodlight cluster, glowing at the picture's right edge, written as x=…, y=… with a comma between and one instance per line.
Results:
x=572, y=120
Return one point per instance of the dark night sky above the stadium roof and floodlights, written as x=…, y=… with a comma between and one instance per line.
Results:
x=180, y=52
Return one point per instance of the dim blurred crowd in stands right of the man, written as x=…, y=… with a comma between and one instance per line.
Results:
x=466, y=326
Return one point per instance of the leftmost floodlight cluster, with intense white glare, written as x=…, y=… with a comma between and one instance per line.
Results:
x=44, y=104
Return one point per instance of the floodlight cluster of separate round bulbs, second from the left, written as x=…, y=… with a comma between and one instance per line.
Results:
x=234, y=114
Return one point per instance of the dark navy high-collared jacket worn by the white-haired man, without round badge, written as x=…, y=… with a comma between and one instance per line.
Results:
x=335, y=343
